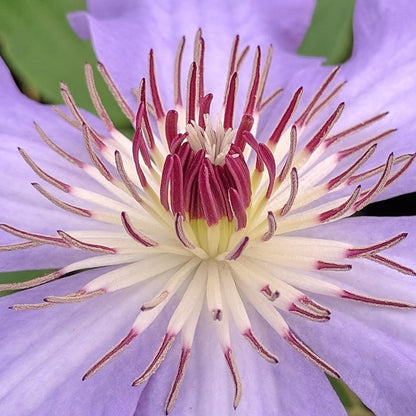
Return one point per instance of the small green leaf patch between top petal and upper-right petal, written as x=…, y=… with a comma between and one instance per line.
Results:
x=330, y=34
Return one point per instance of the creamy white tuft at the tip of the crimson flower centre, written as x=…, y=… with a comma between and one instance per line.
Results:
x=216, y=142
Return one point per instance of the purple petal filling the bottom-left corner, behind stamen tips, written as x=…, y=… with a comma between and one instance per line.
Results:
x=46, y=352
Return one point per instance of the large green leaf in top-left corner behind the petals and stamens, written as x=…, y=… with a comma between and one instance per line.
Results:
x=41, y=49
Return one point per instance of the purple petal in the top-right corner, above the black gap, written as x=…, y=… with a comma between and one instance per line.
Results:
x=381, y=78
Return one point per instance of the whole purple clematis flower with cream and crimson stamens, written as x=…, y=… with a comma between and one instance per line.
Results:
x=208, y=260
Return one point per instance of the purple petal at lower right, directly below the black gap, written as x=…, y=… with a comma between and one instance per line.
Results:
x=372, y=348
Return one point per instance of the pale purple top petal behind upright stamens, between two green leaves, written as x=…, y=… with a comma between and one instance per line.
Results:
x=123, y=35
